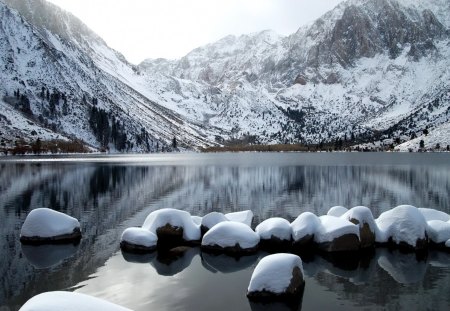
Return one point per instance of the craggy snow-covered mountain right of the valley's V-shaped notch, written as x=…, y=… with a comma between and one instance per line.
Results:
x=368, y=66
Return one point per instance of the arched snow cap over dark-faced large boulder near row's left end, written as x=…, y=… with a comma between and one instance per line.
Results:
x=175, y=218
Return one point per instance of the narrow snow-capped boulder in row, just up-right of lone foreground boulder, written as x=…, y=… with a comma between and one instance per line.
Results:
x=304, y=227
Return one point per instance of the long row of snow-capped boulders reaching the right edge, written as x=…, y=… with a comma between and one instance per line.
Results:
x=406, y=227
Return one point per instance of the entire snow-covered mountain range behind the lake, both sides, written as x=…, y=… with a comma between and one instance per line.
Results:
x=368, y=69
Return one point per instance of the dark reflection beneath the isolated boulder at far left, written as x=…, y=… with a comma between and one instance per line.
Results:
x=47, y=256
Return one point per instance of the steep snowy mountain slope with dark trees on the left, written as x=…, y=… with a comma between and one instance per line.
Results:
x=45, y=49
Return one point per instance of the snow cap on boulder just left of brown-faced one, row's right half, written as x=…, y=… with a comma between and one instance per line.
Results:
x=333, y=227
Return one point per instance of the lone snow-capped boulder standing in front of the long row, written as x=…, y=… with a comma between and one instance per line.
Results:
x=277, y=276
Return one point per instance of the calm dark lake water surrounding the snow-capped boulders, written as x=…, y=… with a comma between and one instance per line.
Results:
x=110, y=193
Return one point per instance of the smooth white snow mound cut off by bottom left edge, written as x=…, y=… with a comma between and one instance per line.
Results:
x=67, y=301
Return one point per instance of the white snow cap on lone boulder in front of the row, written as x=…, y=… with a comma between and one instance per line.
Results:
x=274, y=273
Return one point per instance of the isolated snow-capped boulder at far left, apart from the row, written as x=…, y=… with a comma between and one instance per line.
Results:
x=44, y=225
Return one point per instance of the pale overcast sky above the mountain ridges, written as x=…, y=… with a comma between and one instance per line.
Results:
x=143, y=29
